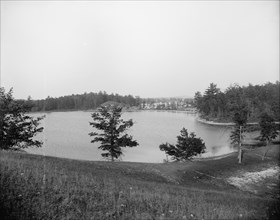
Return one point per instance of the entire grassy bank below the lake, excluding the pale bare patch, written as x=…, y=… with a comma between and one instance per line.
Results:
x=37, y=187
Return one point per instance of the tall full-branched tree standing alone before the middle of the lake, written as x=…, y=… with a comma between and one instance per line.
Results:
x=108, y=120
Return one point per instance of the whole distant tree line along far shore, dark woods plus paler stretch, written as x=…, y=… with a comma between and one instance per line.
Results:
x=88, y=101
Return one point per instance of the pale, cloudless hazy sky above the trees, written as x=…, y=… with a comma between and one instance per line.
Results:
x=150, y=49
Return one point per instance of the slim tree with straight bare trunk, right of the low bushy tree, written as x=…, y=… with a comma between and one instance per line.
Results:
x=240, y=120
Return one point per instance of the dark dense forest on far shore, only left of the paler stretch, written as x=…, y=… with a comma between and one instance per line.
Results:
x=81, y=102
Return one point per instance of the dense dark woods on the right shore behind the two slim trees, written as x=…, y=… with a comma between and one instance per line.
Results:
x=219, y=106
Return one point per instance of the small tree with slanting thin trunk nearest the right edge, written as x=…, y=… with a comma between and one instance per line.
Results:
x=268, y=130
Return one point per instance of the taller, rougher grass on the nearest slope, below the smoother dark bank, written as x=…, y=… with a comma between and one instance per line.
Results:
x=34, y=187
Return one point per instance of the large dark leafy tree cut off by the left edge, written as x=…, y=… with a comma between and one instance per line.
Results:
x=16, y=128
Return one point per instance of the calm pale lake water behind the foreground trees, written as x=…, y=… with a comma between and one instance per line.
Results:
x=66, y=135
